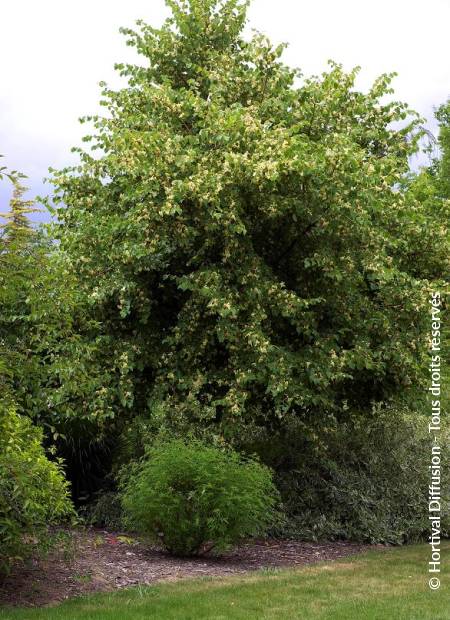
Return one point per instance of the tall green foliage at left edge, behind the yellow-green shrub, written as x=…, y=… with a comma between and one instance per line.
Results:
x=47, y=339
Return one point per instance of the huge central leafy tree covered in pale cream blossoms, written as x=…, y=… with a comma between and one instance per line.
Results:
x=240, y=235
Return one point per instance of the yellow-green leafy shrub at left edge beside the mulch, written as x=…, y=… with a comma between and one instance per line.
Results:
x=33, y=491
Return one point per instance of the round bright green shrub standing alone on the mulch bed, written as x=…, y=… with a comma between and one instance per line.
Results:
x=194, y=498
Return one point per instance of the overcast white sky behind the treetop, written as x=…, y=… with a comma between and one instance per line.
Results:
x=54, y=53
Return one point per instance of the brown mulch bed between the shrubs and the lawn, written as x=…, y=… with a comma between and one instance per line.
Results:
x=104, y=561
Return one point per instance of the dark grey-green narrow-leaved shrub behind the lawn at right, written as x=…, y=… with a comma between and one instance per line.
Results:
x=363, y=479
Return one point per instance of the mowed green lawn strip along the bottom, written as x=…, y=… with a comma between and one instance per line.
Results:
x=381, y=585
